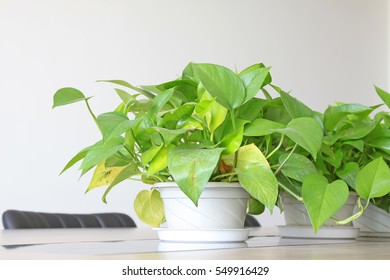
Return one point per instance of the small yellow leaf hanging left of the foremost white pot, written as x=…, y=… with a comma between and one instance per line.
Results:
x=149, y=207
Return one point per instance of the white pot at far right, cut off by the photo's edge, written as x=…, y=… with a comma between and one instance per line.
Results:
x=373, y=220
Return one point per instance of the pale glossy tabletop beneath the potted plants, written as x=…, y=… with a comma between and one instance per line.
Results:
x=141, y=244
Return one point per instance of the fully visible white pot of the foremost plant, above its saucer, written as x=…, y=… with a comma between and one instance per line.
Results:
x=221, y=206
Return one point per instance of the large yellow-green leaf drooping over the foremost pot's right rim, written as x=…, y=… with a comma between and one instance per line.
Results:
x=260, y=182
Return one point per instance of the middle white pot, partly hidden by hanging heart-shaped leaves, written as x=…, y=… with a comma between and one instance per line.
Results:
x=295, y=213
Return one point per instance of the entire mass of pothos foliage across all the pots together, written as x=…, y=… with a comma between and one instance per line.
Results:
x=211, y=125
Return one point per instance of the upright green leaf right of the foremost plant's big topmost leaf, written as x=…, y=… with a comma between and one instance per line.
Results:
x=253, y=80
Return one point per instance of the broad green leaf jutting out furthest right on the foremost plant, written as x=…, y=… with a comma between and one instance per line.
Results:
x=306, y=132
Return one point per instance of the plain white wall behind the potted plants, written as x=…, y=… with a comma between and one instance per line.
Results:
x=321, y=50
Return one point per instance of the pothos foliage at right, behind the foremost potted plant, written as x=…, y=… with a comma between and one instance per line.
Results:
x=354, y=157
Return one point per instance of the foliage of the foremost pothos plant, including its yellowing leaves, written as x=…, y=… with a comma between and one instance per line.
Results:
x=207, y=125
